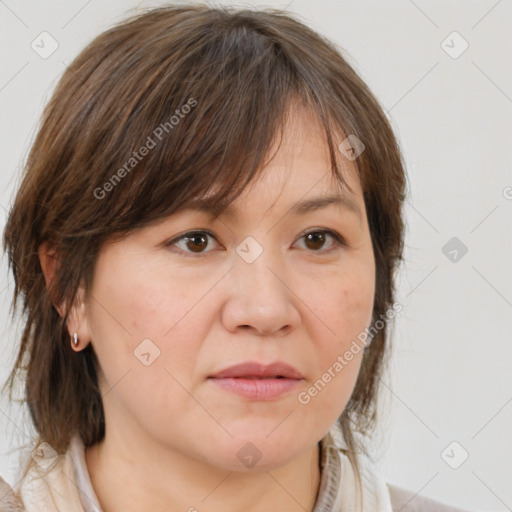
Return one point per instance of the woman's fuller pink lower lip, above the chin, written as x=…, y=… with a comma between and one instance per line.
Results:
x=257, y=389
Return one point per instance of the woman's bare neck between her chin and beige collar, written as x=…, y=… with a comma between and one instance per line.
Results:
x=129, y=475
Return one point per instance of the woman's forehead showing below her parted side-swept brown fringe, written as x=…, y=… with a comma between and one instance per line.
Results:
x=297, y=176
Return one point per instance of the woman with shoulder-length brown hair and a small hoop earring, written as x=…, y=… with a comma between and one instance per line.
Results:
x=205, y=240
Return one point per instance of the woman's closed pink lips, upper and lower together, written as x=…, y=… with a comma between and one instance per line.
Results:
x=257, y=381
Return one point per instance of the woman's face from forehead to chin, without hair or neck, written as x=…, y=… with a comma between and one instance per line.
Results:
x=265, y=284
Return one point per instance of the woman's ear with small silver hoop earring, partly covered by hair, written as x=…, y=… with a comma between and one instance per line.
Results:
x=49, y=260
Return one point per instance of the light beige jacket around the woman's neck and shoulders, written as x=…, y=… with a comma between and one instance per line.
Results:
x=65, y=486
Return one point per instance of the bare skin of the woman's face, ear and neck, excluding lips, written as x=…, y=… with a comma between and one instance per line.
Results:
x=169, y=430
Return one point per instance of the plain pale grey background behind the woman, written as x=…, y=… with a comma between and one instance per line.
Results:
x=451, y=377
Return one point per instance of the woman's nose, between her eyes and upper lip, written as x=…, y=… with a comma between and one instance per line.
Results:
x=259, y=298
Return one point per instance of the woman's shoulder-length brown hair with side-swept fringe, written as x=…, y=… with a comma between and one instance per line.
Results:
x=238, y=71
